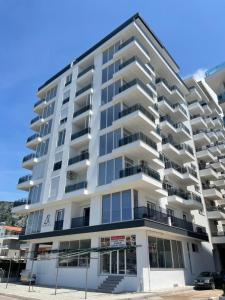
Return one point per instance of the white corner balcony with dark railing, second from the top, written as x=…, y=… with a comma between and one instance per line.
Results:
x=132, y=68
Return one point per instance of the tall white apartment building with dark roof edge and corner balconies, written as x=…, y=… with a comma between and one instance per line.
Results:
x=114, y=165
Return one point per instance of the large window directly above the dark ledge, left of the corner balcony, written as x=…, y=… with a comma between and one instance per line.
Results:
x=116, y=207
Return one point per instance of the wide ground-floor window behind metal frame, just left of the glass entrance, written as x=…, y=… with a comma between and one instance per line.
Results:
x=80, y=260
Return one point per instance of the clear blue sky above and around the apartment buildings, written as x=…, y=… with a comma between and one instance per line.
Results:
x=39, y=37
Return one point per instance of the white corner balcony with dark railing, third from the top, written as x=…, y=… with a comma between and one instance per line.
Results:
x=134, y=91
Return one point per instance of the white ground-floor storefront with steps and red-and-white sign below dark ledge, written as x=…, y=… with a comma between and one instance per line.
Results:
x=142, y=259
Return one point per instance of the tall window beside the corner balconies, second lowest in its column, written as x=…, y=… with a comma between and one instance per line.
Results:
x=109, y=170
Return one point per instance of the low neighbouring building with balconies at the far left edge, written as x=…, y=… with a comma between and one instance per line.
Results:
x=10, y=247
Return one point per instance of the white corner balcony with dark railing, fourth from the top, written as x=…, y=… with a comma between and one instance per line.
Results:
x=137, y=118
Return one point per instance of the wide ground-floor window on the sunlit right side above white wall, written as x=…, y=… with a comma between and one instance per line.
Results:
x=165, y=253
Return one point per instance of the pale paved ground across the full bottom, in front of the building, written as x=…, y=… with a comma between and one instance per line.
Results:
x=18, y=291
